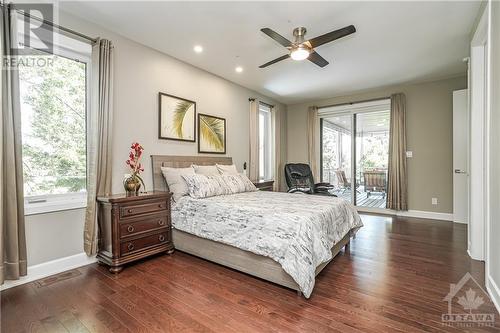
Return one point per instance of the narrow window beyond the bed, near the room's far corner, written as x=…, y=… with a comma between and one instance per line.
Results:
x=266, y=142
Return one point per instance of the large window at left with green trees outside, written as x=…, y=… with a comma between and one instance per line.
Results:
x=53, y=97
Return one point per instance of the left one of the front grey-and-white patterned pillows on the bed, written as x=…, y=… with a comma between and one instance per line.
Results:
x=201, y=186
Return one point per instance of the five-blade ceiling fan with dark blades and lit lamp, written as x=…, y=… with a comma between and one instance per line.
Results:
x=302, y=49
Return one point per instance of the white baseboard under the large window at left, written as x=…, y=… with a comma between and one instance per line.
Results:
x=45, y=269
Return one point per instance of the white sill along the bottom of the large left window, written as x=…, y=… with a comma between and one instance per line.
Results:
x=54, y=203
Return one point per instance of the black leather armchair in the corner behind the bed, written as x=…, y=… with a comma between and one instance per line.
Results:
x=299, y=179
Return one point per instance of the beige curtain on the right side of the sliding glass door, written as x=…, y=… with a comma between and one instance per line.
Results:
x=397, y=186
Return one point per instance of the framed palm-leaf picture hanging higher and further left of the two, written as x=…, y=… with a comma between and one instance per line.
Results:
x=176, y=118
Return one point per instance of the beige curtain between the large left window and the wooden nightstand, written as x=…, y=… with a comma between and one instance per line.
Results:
x=99, y=129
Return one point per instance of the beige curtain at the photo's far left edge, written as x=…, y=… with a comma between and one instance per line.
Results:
x=12, y=234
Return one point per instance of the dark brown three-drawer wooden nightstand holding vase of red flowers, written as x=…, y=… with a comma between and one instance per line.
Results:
x=133, y=227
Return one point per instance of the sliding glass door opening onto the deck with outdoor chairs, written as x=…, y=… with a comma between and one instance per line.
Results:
x=355, y=151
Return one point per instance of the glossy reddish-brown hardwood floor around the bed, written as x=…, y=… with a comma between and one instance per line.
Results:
x=392, y=279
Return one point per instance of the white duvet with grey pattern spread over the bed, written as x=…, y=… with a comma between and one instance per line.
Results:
x=296, y=230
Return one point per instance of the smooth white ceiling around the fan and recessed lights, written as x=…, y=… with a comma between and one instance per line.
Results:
x=395, y=42
